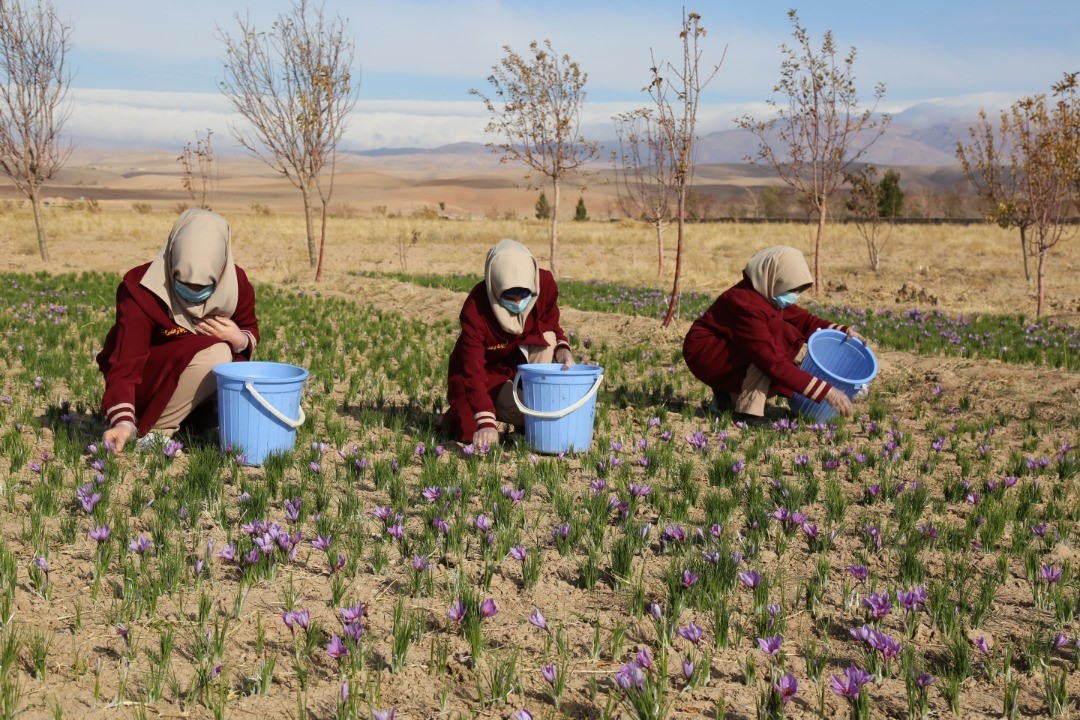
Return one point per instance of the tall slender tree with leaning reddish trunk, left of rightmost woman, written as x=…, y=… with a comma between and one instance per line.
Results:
x=678, y=121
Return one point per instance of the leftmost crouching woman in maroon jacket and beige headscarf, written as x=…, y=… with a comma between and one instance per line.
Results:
x=178, y=317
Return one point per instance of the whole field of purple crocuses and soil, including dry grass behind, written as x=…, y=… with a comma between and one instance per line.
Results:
x=685, y=567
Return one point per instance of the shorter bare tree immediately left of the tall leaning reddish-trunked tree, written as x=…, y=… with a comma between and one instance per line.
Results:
x=645, y=171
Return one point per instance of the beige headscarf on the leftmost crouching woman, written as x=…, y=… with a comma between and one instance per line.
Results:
x=199, y=252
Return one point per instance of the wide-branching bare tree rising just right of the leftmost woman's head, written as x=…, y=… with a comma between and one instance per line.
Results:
x=294, y=87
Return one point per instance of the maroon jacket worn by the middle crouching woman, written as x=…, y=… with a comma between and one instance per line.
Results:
x=487, y=357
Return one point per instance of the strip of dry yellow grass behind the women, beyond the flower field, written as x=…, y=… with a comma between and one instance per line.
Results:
x=960, y=268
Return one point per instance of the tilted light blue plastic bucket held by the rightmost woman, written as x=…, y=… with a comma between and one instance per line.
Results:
x=845, y=363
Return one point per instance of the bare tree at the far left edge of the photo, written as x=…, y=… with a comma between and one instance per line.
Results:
x=34, y=85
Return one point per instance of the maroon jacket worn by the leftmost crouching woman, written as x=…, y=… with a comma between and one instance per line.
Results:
x=146, y=351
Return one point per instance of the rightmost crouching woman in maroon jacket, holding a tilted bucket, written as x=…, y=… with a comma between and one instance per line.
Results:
x=745, y=346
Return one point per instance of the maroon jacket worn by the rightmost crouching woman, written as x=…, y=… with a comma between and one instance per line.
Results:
x=744, y=329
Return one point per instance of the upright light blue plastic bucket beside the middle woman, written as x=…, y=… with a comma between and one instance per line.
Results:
x=559, y=405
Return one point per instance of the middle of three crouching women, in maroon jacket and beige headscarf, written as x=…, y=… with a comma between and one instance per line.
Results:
x=509, y=319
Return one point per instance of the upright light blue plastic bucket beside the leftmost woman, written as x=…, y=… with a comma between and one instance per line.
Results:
x=259, y=407
